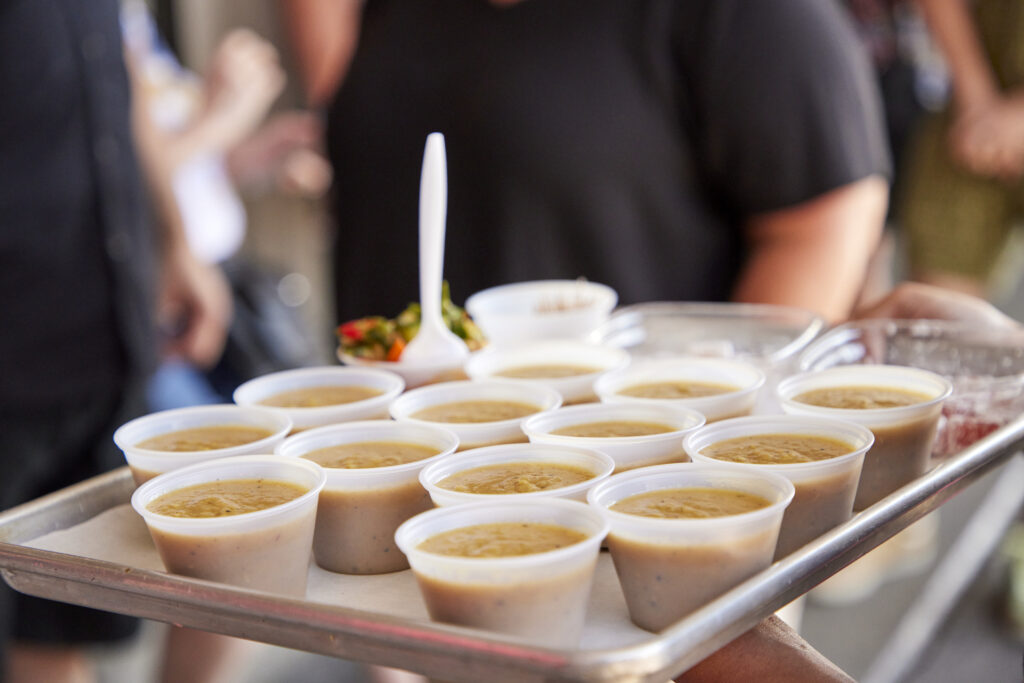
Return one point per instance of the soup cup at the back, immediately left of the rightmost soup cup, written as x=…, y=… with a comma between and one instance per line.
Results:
x=717, y=389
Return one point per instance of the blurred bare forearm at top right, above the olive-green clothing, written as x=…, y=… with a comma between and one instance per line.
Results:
x=953, y=28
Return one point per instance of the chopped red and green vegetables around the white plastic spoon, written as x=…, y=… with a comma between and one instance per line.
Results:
x=377, y=338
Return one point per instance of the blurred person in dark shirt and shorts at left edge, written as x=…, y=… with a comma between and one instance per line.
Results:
x=79, y=289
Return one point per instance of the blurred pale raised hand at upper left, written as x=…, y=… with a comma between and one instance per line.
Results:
x=243, y=79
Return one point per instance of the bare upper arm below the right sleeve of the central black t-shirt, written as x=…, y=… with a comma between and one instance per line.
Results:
x=815, y=255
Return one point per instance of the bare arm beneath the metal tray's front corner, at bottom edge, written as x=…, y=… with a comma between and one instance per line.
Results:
x=771, y=653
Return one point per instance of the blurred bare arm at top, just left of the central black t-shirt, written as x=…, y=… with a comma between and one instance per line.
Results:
x=323, y=35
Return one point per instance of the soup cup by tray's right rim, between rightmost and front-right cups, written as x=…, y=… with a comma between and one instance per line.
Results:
x=822, y=457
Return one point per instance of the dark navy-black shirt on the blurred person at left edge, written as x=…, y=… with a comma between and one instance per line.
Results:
x=73, y=233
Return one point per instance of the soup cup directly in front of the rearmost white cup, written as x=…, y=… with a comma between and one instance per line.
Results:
x=570, y=368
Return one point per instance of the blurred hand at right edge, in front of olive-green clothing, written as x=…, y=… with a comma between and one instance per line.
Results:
x=989, y=141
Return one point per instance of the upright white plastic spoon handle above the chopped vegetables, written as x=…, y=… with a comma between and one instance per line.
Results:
x=434, y=207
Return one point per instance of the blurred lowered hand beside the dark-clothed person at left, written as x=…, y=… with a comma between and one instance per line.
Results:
x=194, y=309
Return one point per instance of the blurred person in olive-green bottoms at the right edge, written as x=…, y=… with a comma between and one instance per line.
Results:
x=964, y=186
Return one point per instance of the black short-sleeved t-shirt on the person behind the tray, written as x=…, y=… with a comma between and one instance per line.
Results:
x=621, y=141
